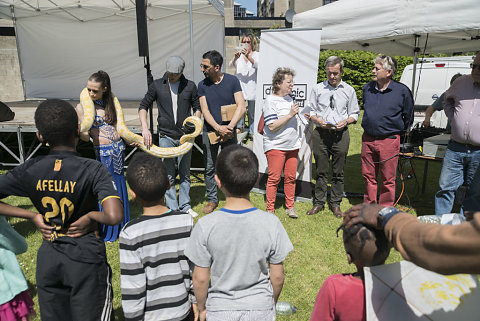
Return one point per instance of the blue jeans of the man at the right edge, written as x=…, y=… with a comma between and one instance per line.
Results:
x=459, y=167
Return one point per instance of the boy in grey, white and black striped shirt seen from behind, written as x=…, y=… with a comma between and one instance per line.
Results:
x=155, y=274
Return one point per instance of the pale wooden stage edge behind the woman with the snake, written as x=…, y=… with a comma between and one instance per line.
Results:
x=25, y=110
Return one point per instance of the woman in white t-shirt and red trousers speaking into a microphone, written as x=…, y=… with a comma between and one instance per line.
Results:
x=280, y=139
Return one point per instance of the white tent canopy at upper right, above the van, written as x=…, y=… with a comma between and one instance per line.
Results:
x=397, y=27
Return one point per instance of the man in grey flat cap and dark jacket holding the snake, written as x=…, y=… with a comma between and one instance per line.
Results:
x=177, y=99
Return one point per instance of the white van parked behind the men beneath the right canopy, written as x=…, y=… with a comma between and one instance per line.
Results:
x=432, y=79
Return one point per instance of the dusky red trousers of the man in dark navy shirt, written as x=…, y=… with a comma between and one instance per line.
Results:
x=380, y=155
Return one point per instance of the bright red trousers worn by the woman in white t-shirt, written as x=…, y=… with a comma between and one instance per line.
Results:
x=279, y=160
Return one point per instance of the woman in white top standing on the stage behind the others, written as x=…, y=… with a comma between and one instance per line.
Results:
x=245, y=62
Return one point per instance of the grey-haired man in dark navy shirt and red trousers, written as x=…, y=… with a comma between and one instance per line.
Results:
x=388, y=112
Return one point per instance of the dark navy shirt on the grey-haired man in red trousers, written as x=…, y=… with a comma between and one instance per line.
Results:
x=387, y=112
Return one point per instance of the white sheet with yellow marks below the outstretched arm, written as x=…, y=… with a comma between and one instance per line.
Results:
x=404, y=291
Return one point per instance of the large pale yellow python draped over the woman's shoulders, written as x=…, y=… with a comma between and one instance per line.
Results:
x=186, y=141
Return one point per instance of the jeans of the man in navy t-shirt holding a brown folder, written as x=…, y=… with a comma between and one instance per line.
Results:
x=210, y=153
